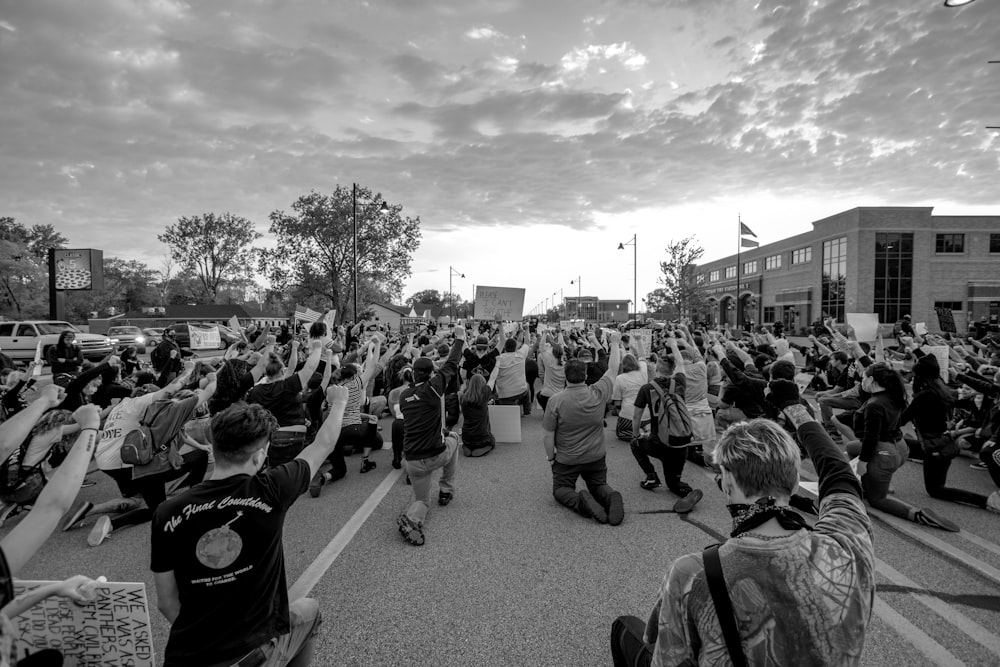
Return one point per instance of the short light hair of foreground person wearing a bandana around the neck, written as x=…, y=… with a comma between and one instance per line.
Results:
x=761, y=456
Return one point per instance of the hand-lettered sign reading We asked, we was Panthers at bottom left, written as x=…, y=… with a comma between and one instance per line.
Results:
x=114, y=630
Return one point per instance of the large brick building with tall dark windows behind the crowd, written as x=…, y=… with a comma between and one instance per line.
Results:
x=887, y=260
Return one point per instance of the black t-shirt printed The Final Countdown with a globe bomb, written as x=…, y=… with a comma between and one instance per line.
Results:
x=222, y=540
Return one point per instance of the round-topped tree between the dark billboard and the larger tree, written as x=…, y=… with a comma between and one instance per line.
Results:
x=214, y=248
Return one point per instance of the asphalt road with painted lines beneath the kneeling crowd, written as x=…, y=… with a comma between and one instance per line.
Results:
x=510, y=577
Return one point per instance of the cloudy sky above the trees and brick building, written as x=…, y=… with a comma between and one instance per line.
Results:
x=530, y=136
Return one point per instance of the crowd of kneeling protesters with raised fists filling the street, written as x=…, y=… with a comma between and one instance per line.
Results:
x=213, y=451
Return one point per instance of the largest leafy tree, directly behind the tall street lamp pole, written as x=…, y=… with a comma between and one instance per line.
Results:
x=314, y=247
